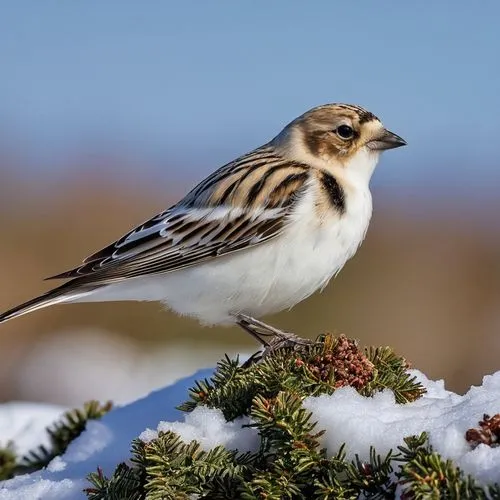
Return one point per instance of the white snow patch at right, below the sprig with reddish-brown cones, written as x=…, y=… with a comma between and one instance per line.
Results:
x=360, y=422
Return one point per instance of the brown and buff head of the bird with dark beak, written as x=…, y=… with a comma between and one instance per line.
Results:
x=342, y=135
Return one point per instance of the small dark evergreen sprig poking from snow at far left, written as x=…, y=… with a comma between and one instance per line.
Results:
x=69, y=427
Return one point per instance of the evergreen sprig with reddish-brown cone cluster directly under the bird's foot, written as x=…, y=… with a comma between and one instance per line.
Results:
x=319, y=368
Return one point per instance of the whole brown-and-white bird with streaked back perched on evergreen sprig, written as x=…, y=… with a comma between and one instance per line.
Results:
x=257, y=236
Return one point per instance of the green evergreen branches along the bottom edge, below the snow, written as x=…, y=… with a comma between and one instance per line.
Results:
x=289, y=465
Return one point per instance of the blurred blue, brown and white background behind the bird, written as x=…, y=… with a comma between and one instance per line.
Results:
x=110, y=111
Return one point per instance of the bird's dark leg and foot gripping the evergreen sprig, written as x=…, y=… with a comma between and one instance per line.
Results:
x=273, y=339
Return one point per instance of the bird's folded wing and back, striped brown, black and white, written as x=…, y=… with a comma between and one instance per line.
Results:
x=240, y=205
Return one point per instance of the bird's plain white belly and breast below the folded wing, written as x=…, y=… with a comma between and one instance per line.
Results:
x=264, y=279
